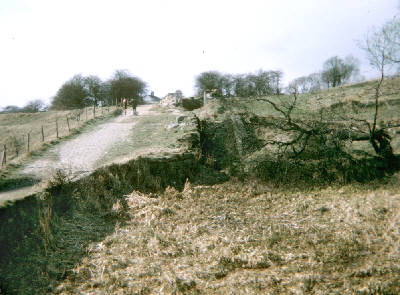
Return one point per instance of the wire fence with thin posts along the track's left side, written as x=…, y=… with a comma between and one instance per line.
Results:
x=19, y=140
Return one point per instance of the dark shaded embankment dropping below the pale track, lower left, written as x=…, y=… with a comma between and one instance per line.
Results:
x=44, y=235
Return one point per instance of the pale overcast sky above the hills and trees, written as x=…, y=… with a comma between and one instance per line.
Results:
x=43, y=43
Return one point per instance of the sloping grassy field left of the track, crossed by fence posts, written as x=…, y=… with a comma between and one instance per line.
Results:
x=28, y=136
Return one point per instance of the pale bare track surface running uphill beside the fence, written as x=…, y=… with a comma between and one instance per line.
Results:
x=81, y=155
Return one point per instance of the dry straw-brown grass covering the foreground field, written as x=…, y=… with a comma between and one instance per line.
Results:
x=246, y=238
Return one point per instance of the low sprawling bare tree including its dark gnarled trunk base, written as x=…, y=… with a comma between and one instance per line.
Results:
x=323, y=137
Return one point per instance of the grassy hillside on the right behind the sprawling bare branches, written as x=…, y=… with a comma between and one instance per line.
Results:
x=254, y=124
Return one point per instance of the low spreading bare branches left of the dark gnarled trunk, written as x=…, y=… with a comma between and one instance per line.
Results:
x=321, y=136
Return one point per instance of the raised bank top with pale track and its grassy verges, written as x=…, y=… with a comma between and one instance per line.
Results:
x=95, y=144
